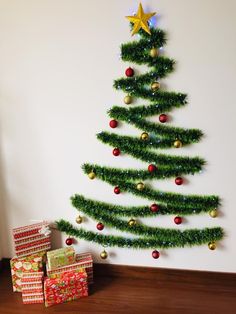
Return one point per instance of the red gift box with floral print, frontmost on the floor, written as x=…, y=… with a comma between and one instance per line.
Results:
x=67, y=287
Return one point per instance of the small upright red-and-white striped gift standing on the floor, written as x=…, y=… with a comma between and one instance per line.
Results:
x=32, y=288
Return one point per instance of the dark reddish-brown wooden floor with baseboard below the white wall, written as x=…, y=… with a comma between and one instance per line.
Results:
x=132, y=290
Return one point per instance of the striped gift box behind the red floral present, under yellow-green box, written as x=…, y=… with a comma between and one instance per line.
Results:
x=84, y=262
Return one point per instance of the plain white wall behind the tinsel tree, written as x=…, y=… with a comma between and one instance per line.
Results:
x=58, y=60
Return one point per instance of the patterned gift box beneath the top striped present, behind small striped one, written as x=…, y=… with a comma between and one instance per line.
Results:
x=32, y=263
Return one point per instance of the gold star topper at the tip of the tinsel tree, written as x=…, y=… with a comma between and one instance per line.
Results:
x=140, y=20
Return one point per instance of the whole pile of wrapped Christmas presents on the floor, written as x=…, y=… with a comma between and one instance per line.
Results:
x=44, y=276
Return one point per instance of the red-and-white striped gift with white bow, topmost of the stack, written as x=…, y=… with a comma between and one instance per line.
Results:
x=31, y=239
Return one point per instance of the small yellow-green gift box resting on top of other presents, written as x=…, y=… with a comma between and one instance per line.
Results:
x=60, y=257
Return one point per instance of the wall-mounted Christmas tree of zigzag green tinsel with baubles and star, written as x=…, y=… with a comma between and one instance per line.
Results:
x=160, y=166
